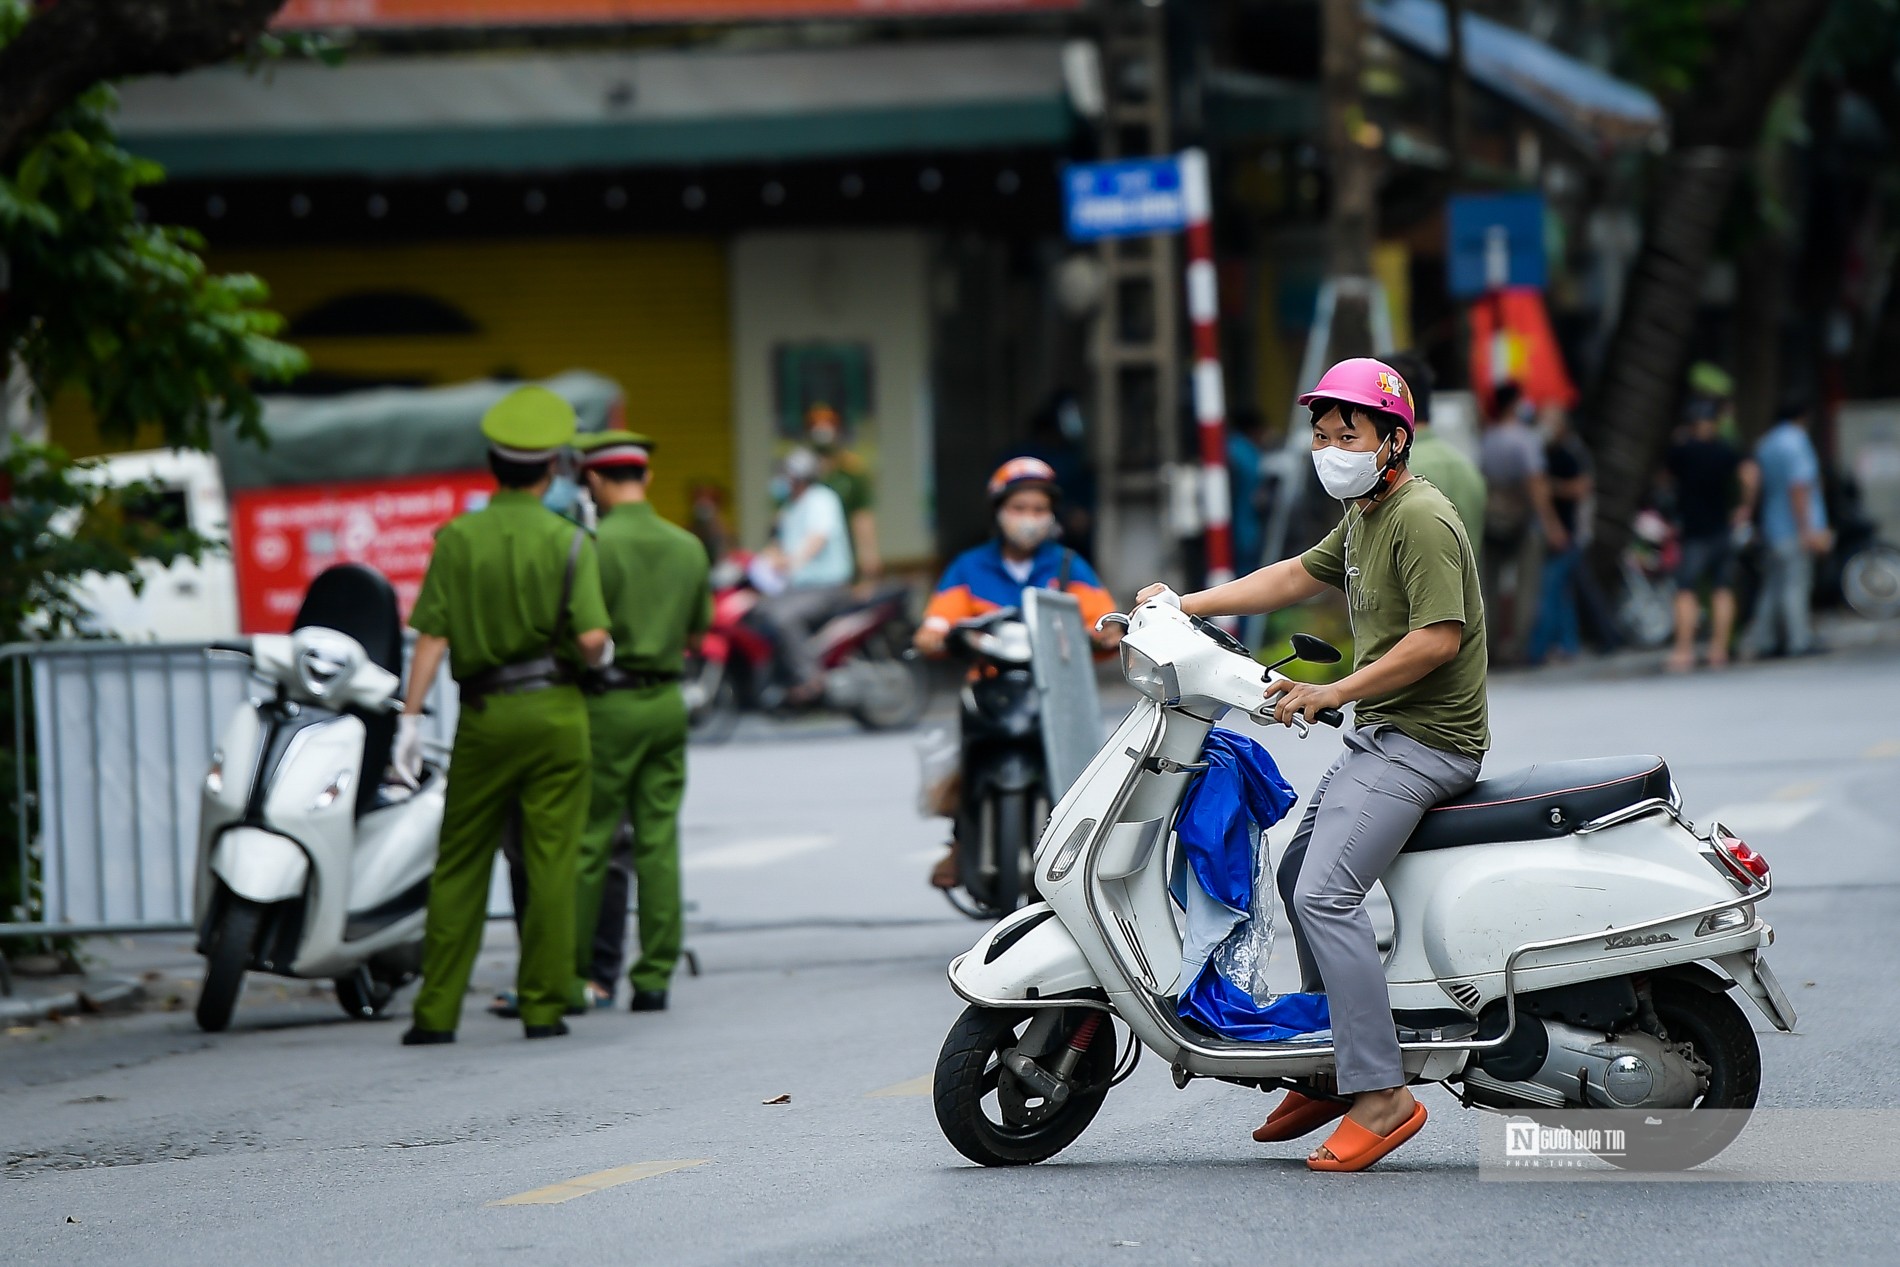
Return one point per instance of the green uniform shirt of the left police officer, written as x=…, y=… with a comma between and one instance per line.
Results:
x=495, y=582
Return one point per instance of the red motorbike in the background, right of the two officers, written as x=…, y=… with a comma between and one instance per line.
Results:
x=862, y=649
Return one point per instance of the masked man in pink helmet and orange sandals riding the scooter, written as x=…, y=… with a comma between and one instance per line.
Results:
x=1420, y=732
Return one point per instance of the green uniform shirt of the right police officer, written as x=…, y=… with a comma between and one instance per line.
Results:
x=656, y=588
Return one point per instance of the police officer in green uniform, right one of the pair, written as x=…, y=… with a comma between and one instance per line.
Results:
x=658, y=599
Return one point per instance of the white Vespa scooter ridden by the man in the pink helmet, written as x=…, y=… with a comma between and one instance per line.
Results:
x=1555, y=930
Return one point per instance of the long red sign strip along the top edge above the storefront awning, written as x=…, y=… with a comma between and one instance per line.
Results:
x=305, y=14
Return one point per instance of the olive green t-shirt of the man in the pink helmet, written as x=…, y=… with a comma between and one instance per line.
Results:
x=1407, y=565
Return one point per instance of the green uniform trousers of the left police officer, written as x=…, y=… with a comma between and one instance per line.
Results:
x=527, y=751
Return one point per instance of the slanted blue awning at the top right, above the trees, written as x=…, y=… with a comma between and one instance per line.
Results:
x=1578, y=100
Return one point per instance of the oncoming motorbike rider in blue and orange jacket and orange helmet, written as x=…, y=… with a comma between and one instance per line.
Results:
x=1025, y=554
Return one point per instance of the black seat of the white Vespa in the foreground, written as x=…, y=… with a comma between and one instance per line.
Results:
x=1542, y=803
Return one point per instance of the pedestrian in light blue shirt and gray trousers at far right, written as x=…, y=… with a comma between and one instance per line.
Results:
x=1795, y=531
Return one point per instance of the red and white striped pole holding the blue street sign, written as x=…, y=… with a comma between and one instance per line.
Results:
x=1209, y=394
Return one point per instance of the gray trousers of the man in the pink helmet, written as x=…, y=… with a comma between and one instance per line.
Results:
x=1359, y=820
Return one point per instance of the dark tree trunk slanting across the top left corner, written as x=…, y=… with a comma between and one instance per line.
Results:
x=71, y=45
